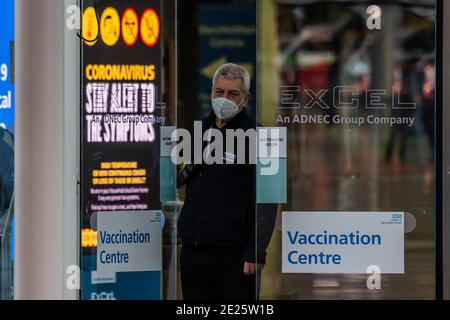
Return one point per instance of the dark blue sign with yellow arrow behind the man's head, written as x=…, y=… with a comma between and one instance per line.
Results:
x=226, y=34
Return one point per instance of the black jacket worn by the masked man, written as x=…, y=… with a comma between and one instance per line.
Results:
x=220, y=204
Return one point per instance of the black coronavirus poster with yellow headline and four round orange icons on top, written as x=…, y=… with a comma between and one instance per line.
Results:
x=121, y=120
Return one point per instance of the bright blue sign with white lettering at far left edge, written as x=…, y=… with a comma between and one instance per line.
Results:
x=6, y=85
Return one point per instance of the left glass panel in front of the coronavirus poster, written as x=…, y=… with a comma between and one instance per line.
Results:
x=128, y=82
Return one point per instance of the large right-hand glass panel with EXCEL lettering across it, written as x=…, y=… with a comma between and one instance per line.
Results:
x=360, y=136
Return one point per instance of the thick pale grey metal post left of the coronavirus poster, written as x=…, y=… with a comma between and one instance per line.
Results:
x=46, y=229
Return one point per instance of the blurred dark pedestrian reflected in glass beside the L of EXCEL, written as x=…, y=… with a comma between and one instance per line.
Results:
x=399, y=132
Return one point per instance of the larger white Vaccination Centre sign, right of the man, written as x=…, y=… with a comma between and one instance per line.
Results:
x=342, y=242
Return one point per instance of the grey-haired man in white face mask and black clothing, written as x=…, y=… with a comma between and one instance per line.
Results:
x=224, y=236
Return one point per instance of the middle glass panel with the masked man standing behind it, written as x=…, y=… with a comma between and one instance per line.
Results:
x=215, y=224
